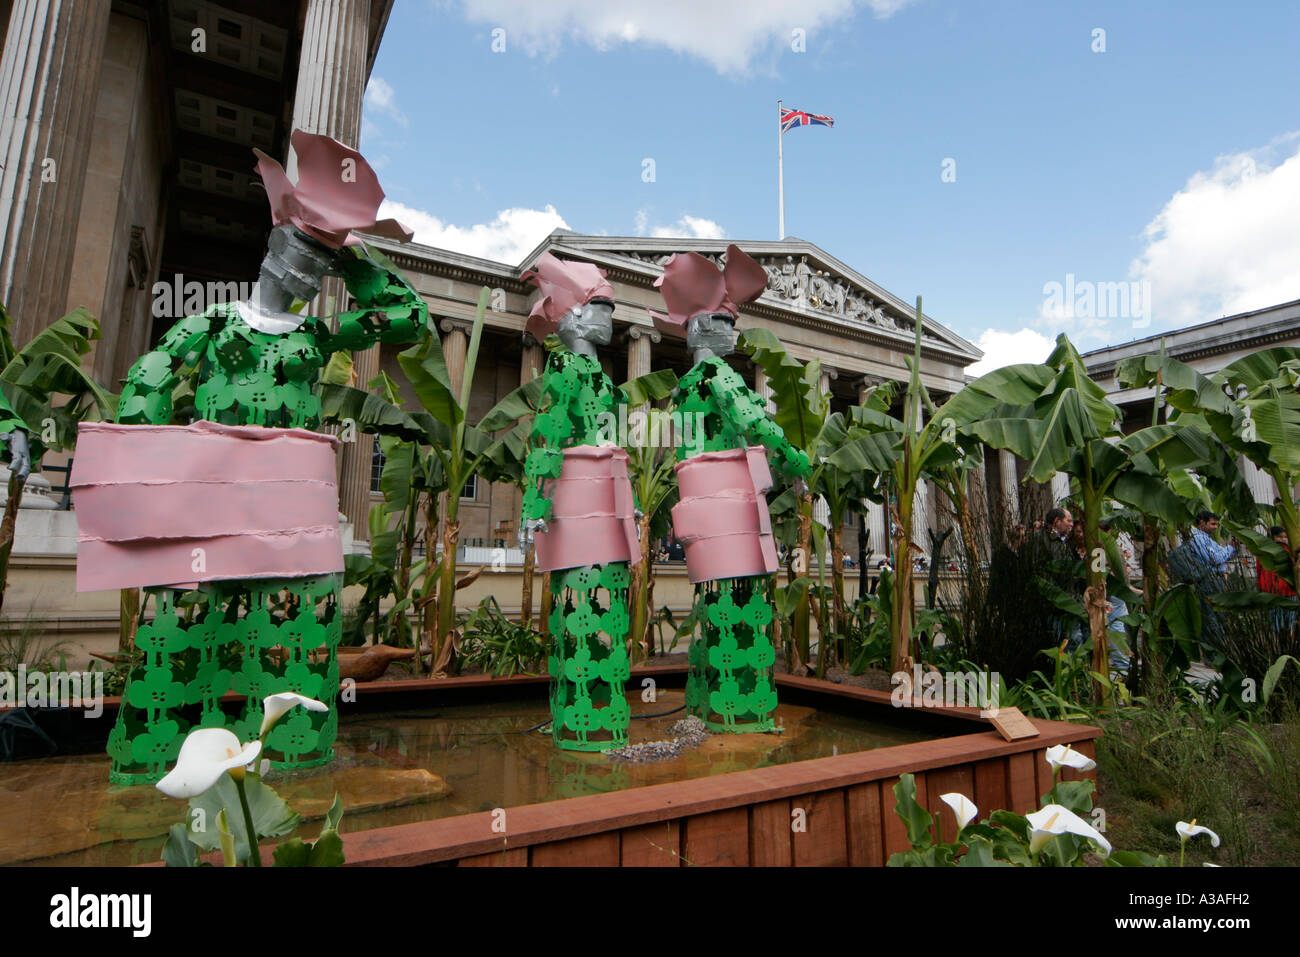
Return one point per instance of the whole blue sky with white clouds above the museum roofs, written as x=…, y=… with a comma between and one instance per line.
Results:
x=1171, y=159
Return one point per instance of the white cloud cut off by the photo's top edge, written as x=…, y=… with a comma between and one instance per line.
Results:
x=727, y=34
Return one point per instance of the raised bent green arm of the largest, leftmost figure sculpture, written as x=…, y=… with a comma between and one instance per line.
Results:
x=389, y=310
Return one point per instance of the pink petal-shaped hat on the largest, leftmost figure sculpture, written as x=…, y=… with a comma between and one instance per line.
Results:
x=337, y=193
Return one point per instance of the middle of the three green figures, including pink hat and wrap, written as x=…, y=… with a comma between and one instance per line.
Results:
x=579, y=510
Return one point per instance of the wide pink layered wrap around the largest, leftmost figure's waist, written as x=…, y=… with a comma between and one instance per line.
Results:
x=168, y=505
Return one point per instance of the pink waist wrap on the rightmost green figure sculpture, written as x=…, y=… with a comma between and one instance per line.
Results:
x=722, y=519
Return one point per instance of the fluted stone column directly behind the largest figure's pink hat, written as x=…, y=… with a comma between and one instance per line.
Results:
x=328, y=99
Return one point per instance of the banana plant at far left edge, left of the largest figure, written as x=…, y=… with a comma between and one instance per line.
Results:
x=32, y=379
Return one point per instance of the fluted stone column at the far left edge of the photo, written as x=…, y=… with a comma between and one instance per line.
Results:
x=49, y=86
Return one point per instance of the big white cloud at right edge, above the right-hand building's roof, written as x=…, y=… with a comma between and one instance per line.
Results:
x=1228, y=243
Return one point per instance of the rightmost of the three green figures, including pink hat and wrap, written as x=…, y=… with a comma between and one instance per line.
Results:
x=722, y=518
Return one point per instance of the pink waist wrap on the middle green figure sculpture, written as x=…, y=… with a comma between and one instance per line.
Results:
x=592, y=512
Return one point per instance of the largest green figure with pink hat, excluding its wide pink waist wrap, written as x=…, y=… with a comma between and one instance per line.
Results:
x=258, y=365
